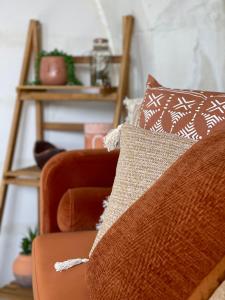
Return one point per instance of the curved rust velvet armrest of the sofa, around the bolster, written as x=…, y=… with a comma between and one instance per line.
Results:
x=80, y=168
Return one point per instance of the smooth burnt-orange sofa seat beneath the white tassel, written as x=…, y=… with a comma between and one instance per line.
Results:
x=49, y=248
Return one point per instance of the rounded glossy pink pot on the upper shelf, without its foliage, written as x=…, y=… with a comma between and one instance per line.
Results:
x=53, y=70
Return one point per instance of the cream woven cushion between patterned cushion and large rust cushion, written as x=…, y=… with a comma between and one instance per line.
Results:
x=144, y=156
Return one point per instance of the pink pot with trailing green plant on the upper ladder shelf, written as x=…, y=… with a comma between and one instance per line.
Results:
x=55, y=68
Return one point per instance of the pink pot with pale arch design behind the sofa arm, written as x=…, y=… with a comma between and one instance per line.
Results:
x=95, y=133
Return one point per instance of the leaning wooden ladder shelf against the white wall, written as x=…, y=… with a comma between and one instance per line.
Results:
x=40, y=94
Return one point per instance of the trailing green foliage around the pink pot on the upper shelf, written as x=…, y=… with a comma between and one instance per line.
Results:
x=72, y=79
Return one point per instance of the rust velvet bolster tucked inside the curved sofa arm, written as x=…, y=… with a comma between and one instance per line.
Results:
x=80, y=208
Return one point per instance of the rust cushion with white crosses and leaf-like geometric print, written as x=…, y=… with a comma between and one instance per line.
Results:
x=193, y=114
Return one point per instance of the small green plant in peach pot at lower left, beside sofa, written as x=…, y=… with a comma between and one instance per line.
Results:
x=22, y=267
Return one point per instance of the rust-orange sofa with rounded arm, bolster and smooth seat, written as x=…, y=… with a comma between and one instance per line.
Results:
x=73, y=187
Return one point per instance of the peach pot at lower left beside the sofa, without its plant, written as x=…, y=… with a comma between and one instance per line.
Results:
x=22, y=270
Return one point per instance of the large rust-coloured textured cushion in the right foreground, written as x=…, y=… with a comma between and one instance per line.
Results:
x=170, y=243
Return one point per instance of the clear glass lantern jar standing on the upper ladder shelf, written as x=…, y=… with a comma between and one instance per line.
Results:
x=100, y=63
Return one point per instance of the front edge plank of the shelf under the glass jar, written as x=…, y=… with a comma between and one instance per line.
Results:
x=45, y=96
